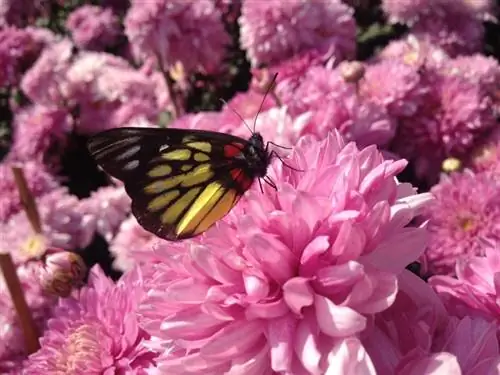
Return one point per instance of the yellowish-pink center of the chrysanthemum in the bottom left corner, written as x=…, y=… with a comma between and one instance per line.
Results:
x=82, y=351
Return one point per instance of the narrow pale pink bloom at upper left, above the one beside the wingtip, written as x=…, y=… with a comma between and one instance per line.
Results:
x=42, y=82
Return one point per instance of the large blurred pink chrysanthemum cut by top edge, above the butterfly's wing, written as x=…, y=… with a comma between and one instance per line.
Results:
x=189, y=32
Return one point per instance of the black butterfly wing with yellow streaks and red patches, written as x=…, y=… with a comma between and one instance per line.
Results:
x=180, y=181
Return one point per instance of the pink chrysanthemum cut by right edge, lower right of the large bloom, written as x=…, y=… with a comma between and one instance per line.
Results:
x=474, y=291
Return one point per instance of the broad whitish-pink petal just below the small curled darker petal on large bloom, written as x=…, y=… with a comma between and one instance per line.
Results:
x=337, y=321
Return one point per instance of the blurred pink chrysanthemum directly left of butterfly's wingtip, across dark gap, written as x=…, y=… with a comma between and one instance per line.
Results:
x=40, y=133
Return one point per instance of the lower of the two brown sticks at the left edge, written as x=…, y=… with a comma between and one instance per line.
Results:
x=23, y=312
